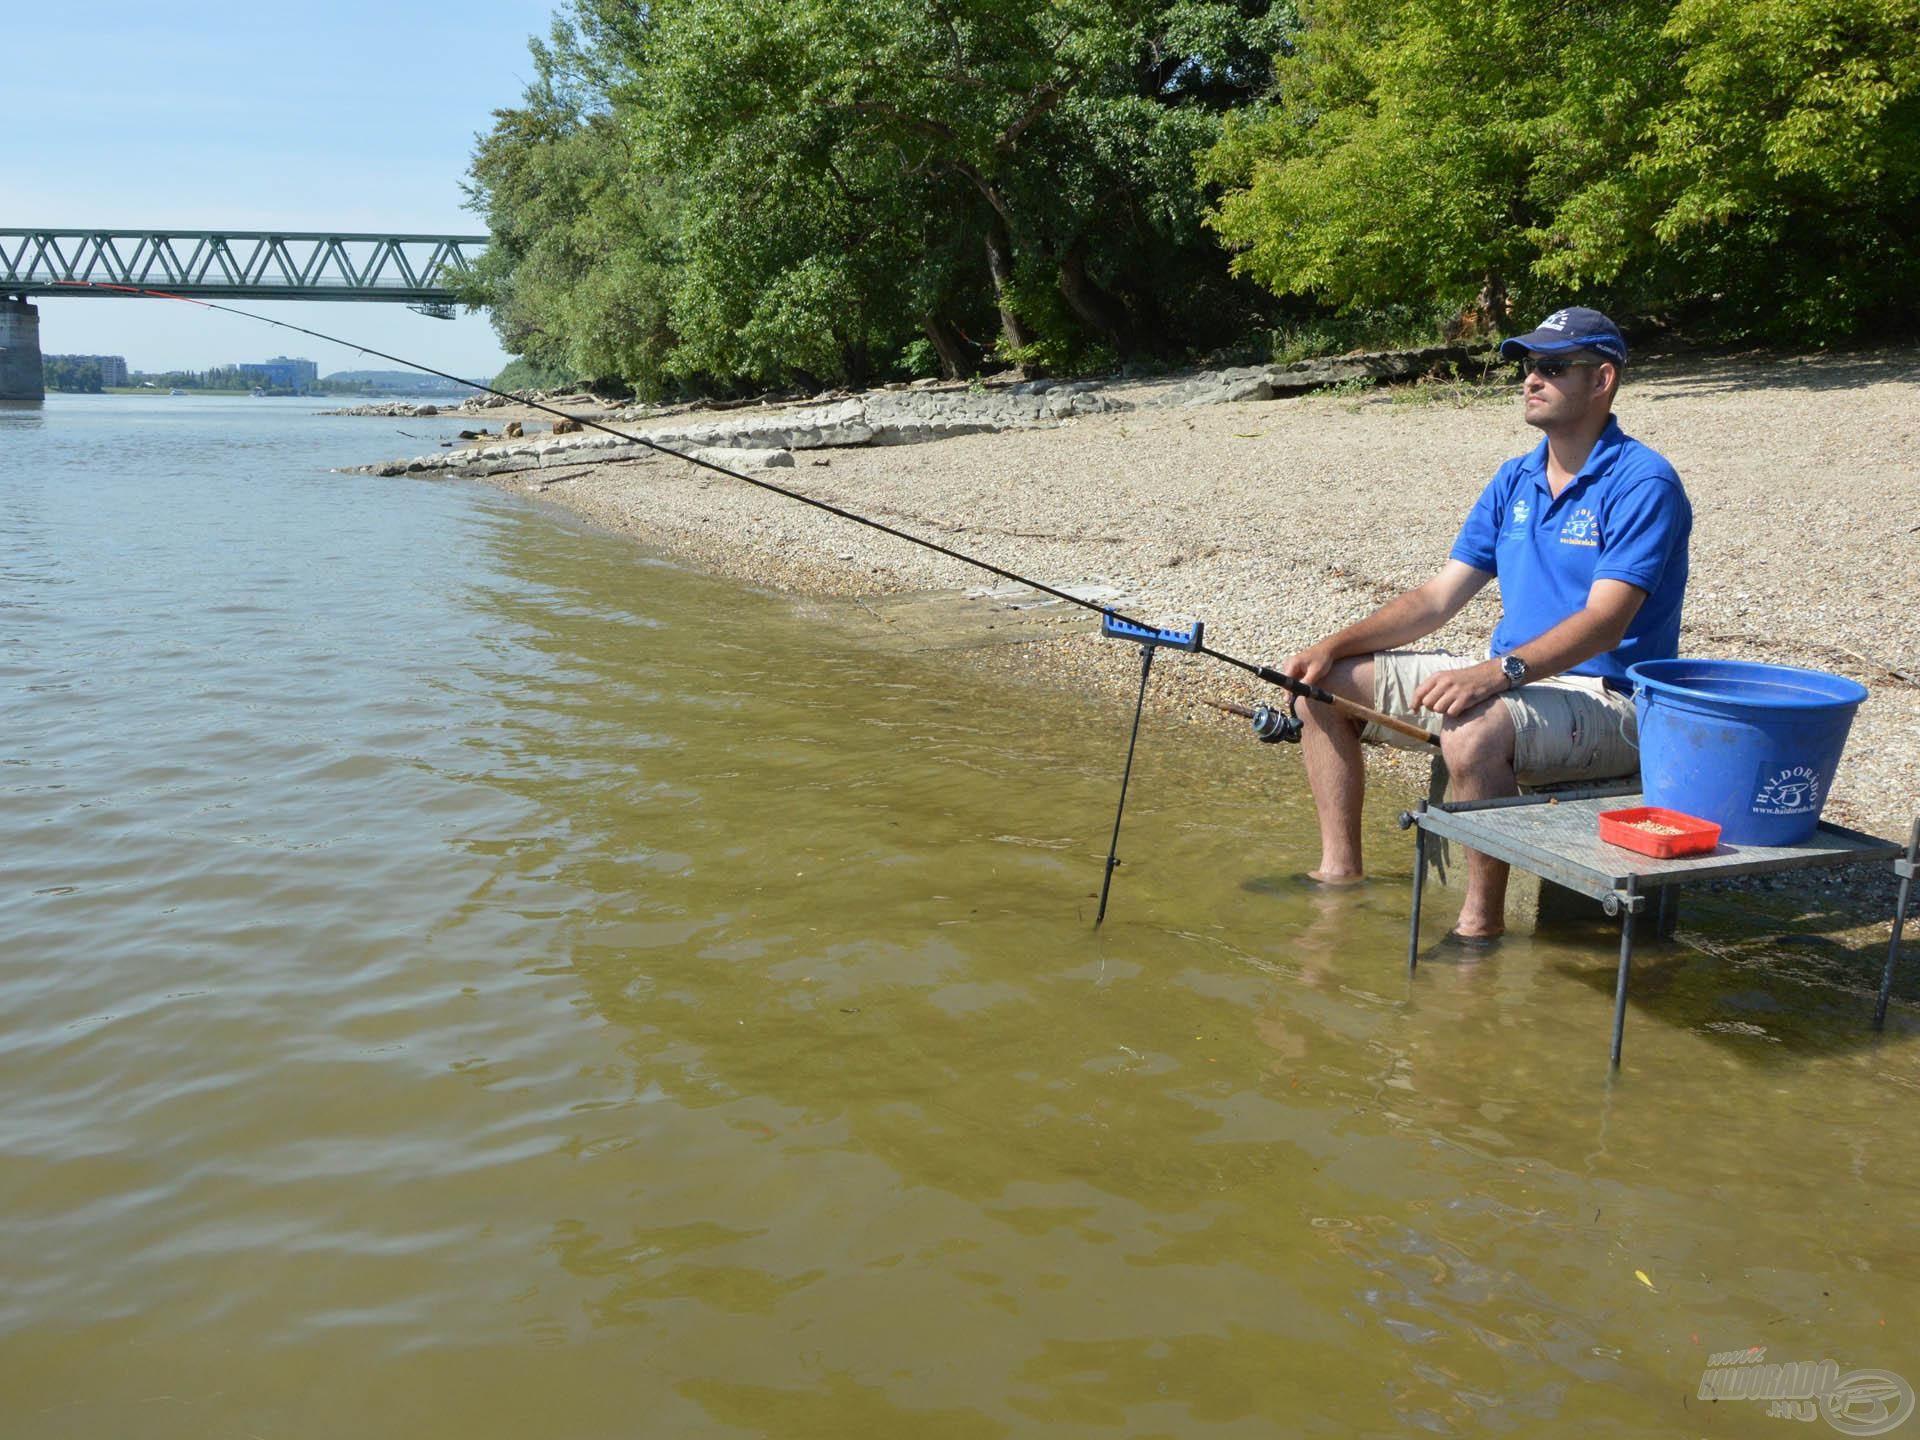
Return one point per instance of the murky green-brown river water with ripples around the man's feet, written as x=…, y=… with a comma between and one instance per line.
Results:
x=469, y=978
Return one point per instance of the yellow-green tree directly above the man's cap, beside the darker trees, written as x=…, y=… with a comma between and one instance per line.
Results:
x=1420, y=151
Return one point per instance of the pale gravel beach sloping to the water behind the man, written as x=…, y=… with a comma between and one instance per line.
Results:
x=1280, y=521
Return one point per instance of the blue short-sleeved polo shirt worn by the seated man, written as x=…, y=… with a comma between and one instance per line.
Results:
x=1625, y=517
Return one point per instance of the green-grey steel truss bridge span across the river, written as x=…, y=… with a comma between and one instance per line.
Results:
x=414, y=270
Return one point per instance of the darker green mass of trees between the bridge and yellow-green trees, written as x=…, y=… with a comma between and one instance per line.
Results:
x=838, y=193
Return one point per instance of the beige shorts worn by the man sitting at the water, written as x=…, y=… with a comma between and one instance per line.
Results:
x=1564, y=729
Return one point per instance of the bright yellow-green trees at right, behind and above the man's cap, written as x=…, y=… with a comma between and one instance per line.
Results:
x=1748, y=162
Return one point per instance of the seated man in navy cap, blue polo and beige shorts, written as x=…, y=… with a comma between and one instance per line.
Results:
x=1589, y=539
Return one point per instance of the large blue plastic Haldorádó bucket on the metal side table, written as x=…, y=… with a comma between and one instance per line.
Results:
x=1752, y=748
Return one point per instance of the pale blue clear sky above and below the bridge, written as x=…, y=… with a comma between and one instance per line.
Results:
x=347, y=116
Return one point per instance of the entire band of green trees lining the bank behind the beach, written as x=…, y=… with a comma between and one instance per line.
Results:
x=754, y=193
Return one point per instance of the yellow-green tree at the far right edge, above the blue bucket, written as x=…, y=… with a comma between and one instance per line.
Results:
x=1785, y=176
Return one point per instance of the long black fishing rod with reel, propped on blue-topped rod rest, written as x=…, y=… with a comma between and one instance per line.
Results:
x=1113, y=623
